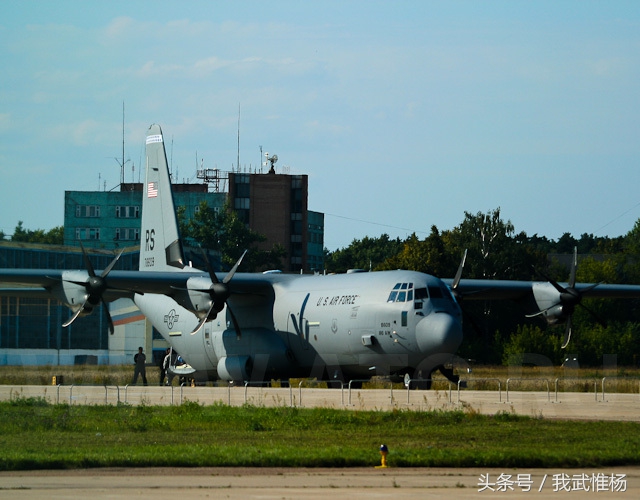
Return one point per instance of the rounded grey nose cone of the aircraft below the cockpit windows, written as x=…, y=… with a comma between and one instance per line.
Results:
x=439, y=332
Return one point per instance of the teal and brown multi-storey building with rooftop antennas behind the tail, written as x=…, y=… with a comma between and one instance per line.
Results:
x=274, y=205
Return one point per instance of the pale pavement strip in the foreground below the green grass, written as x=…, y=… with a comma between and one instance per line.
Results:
x=310, y=484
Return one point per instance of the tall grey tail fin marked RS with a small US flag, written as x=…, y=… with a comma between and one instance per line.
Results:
x=160, y=245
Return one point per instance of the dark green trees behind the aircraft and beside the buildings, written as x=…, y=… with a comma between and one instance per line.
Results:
x=496, y=332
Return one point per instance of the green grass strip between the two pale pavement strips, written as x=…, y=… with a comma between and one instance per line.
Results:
x=37, y=435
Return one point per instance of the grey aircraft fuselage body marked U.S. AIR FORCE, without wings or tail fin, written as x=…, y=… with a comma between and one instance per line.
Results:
x=349, y=326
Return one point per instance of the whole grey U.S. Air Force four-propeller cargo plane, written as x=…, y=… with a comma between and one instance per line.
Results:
x=264, y=326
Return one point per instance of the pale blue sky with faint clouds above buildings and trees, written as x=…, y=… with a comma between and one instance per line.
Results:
x=404, y=114
